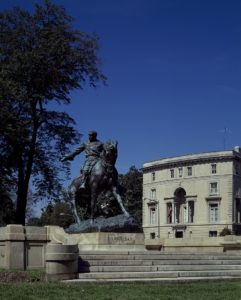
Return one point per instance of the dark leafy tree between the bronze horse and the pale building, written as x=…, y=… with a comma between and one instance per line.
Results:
x=131, y=189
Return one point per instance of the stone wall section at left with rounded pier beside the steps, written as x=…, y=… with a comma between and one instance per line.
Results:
x=29, y=247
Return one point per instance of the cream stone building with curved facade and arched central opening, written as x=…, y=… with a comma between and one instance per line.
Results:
x=195, y=196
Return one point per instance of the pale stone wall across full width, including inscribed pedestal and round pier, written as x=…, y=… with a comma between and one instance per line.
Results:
x=28, y=247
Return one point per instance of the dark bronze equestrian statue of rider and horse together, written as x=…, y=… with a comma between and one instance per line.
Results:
x=97, y=175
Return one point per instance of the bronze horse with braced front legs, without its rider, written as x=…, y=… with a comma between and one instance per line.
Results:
x=103, y=177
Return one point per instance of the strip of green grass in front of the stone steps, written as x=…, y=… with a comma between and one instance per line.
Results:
x=120, y=291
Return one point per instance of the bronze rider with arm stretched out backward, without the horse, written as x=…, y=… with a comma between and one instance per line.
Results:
x=93, y=149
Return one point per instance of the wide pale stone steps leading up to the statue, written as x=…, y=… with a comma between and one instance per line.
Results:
x=109, y=266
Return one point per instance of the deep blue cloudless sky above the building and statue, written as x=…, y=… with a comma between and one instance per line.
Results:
x=174, y=74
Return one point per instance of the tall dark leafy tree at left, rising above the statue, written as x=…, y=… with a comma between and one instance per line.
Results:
x=42, y=58
